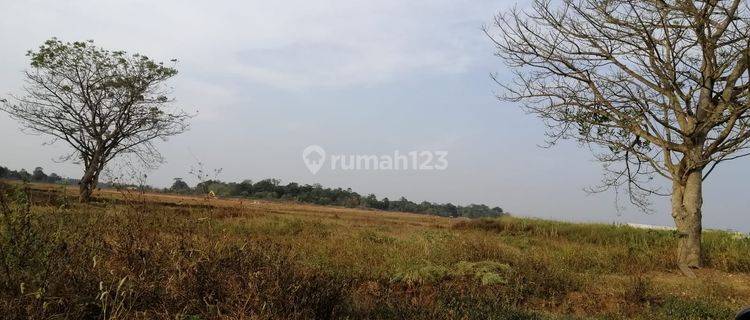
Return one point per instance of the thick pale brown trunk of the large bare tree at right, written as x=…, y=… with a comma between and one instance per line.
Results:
x=687, y=200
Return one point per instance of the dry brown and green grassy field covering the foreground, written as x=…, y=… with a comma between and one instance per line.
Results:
x=133, y=256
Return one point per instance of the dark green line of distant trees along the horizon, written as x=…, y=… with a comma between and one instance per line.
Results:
x=273, y=189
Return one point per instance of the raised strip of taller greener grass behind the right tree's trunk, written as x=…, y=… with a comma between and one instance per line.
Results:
x=619, y=248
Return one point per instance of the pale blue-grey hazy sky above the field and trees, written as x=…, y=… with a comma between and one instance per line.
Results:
x=269, y=78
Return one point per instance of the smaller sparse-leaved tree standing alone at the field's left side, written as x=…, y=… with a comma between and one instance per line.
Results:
x=102, y=103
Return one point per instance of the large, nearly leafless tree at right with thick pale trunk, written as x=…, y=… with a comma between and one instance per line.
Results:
x=656, y=88
